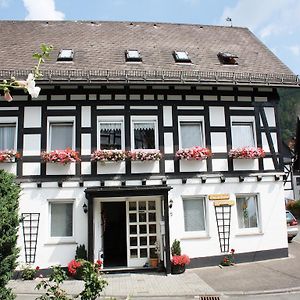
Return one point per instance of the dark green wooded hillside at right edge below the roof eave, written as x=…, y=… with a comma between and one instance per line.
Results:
x=289, y=108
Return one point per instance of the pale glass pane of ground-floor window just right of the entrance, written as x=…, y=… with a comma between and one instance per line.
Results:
x=194, y=214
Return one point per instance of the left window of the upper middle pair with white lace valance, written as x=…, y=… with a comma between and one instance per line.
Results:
x=110, y=135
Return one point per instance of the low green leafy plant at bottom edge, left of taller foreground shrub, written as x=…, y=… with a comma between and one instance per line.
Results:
x=53, y=285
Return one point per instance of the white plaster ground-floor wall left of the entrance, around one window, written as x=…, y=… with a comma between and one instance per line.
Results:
x=49, y=253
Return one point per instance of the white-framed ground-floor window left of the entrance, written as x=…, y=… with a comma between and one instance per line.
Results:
x=61, y=219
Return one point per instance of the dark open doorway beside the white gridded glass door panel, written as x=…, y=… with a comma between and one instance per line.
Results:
x=114, y=234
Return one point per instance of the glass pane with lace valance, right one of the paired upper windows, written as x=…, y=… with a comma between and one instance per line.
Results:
x=144, y=135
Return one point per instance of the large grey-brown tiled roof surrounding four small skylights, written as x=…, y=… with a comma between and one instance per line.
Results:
x=101, y=45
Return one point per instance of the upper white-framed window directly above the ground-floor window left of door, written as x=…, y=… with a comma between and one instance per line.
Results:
x=61, y=133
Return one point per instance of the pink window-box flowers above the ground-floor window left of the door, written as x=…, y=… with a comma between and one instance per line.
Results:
x=61, y=156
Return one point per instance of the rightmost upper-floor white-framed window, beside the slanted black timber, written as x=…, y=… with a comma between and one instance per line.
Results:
x=243, y=132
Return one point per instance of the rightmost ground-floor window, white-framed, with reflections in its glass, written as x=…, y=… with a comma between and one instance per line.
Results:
x=247, y=212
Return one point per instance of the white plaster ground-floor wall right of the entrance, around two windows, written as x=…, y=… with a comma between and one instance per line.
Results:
x=272, y=235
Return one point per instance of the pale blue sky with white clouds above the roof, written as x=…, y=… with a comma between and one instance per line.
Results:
x=275, y=22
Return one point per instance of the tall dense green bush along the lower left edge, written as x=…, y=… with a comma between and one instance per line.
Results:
x=9, y=222
